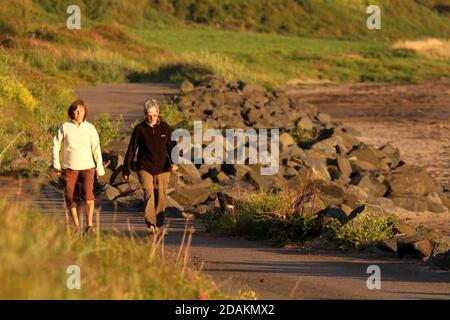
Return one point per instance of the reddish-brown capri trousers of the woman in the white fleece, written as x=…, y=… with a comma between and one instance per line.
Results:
x=77, y=184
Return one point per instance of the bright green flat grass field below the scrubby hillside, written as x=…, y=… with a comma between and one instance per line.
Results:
x=274, y=59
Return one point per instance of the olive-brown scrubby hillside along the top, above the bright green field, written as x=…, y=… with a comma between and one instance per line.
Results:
x=337, y=19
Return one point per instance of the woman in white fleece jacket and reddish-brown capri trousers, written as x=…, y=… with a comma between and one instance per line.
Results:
x=81, y=161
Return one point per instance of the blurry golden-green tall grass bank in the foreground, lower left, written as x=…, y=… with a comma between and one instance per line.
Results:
x=36, y=251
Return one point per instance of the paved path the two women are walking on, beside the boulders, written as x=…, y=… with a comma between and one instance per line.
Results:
x=273, y=273
